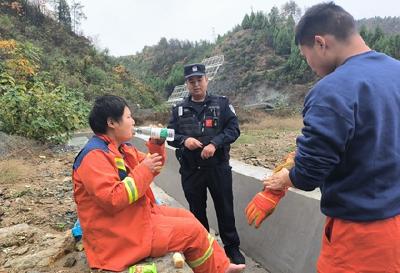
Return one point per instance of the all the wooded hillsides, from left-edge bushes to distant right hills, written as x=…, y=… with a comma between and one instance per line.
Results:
x=49, y=74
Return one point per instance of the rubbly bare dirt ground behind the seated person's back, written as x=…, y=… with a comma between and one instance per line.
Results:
x=36, y=189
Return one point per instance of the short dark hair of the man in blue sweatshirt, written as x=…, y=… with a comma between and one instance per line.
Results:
x=321, y=19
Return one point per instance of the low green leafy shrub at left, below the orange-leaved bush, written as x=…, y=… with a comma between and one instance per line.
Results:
x=40, y=113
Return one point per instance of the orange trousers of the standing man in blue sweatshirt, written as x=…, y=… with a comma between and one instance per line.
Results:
x=360, y=247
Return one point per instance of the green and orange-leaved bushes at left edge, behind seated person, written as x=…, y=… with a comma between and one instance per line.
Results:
x=29, y=104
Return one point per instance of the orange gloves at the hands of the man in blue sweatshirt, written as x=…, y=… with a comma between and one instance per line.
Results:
x=263, y=203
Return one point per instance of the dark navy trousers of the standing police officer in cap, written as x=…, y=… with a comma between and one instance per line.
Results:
x=218, y=180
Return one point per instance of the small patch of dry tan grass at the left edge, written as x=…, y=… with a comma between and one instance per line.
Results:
x=13, y=170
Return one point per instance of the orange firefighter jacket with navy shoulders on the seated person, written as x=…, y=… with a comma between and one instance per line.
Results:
x=114, y=200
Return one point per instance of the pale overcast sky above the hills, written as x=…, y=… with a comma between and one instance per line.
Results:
x=126, y=26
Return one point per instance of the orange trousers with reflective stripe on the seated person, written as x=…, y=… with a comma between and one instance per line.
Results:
x=176, y=229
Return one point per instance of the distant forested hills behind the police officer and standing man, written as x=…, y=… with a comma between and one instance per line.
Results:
x=262, y=63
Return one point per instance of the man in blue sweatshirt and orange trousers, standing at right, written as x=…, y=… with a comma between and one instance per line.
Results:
x=350, y=144
